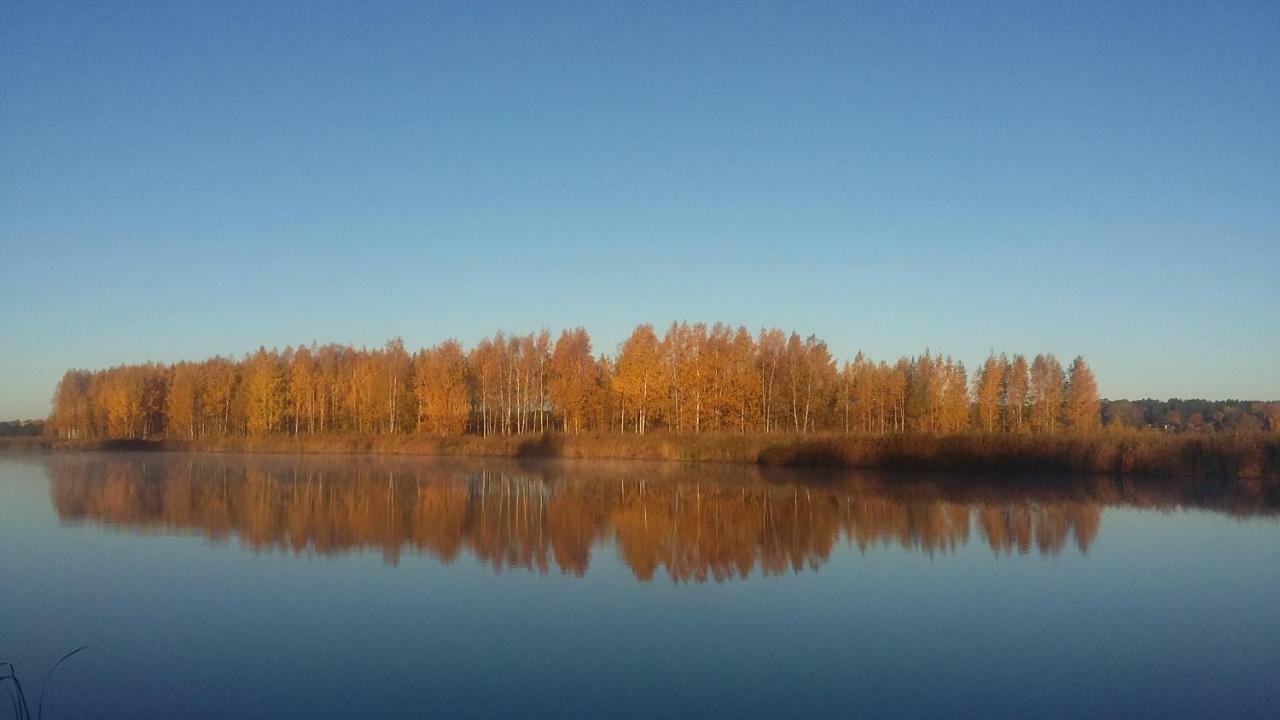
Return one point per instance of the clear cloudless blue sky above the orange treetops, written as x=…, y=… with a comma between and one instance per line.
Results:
x=185, y=180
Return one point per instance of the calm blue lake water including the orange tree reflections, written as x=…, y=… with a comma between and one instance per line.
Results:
x=313, y=587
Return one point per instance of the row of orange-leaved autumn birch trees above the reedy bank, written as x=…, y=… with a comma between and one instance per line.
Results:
x=694, y=379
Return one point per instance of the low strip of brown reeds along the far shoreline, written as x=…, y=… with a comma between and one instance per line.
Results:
x=1231, y=457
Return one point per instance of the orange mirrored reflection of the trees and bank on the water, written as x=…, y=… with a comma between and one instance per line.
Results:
x=693, y=523
